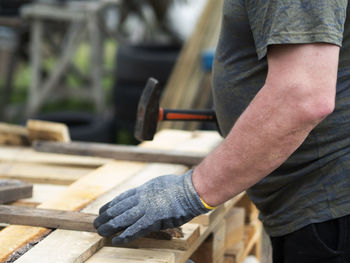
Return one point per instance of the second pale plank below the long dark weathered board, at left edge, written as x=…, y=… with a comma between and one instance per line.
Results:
x=42, y=173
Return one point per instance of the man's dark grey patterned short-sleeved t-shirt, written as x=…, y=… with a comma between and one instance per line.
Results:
x=313, y=185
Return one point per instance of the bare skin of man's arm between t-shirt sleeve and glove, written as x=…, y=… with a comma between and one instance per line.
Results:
x=299, y=92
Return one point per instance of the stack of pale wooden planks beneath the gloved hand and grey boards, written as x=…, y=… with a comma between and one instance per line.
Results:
x=86, y=183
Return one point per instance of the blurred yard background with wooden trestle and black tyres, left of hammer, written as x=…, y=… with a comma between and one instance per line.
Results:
x=85, y=62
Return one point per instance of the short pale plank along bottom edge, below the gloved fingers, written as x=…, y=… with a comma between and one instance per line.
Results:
x=125, y=255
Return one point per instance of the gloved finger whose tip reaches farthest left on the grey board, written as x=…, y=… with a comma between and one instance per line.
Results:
x=116, y=210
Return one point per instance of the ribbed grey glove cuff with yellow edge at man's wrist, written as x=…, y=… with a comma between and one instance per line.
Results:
x=194, y=201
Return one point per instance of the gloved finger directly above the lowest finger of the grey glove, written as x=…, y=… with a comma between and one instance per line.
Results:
x=120, y=223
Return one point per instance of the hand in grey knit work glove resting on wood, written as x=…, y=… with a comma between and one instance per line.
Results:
x=163, y=202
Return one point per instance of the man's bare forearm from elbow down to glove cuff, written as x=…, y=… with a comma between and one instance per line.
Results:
x=261, y=140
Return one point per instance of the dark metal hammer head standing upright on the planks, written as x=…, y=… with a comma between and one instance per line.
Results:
x=148, y=111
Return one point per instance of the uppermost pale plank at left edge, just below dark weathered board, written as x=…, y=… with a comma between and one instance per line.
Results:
x=28, y=155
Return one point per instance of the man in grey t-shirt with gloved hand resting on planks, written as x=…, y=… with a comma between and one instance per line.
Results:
x=281, y=88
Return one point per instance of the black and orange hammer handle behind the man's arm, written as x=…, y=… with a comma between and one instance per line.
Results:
x=186, y=115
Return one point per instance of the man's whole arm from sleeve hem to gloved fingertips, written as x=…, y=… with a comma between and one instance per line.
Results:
x=299, y=92
